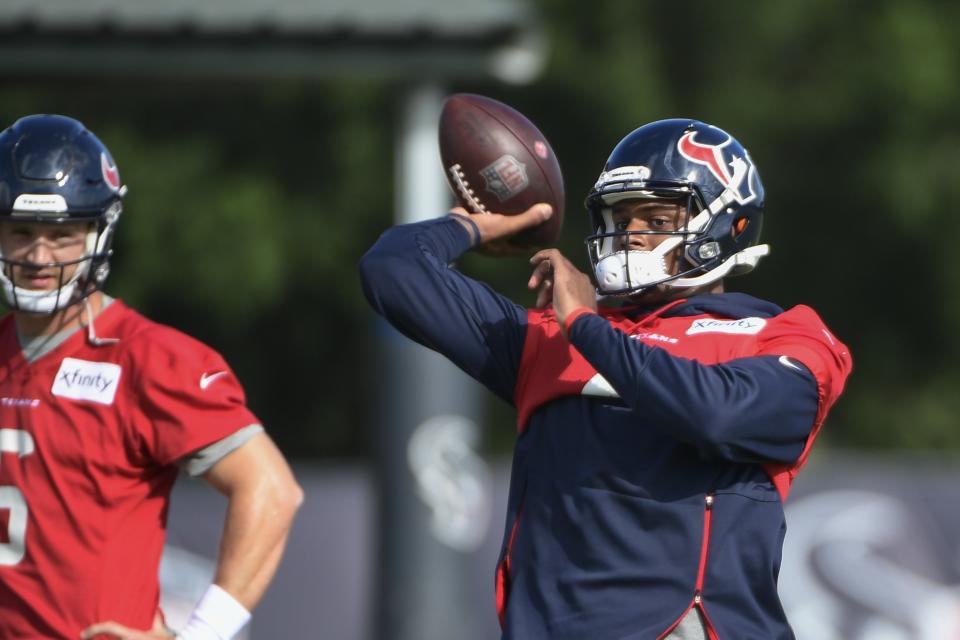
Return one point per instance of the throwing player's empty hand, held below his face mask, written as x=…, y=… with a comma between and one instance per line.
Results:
x=557, y=280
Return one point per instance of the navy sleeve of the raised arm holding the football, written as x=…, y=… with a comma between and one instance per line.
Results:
x=408, y=279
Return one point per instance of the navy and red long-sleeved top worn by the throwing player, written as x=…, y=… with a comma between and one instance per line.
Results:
x=655, y=448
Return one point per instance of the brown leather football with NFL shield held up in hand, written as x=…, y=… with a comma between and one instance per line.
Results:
x=497, y=161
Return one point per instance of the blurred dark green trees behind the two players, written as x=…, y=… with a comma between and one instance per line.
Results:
x=251, y=202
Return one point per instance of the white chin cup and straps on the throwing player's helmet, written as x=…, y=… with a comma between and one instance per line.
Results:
x=629, y=269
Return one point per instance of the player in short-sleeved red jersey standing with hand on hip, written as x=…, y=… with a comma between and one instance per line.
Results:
x=100, y=409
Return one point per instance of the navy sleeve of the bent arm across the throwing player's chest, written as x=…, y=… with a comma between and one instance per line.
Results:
x=757, y=409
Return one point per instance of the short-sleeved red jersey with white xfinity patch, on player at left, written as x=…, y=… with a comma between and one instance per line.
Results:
x=90, y=437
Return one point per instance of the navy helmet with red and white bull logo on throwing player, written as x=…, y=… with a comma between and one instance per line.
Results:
x=683, y=161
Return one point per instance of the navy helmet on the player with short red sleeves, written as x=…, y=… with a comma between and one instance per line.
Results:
x=53, y=170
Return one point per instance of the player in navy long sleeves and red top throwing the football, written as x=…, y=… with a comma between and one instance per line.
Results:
x=659, y=430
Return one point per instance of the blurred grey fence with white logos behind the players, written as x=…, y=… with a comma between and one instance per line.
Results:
x=872, y=553
